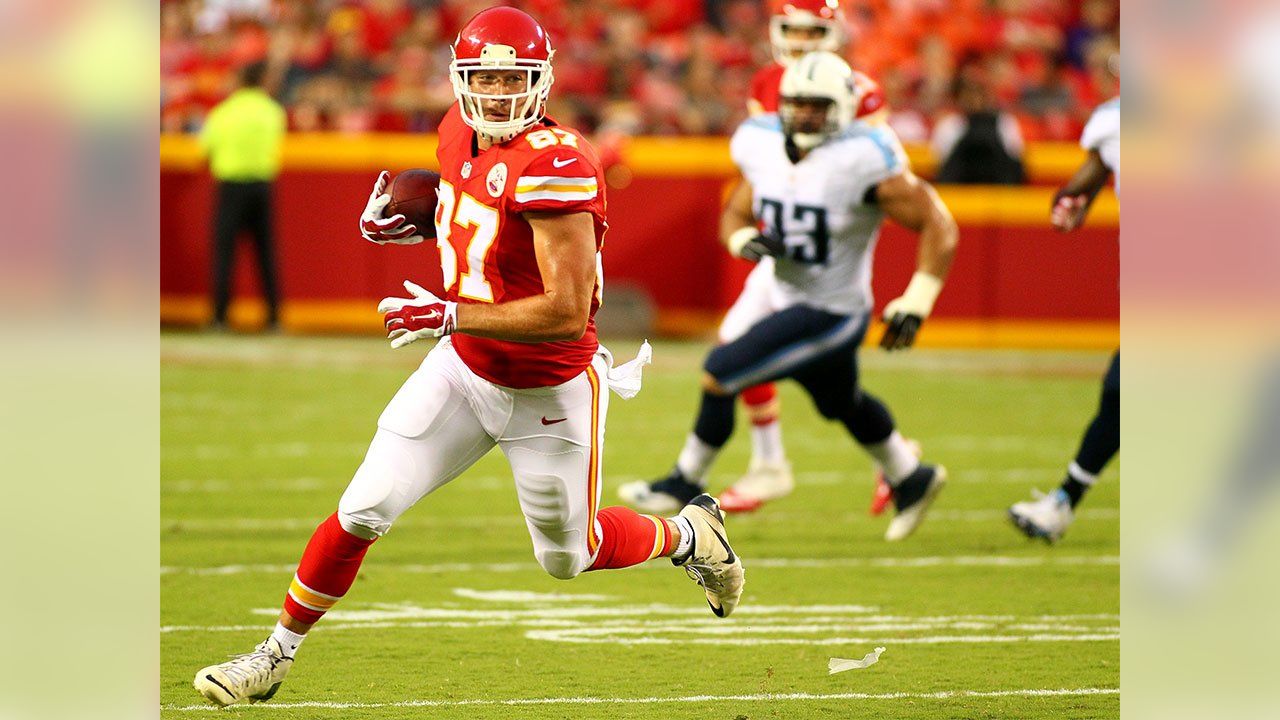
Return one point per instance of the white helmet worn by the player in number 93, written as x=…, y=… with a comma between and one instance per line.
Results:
x=817, y=78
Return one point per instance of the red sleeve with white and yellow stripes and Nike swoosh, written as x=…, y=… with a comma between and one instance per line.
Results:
x=561, y=181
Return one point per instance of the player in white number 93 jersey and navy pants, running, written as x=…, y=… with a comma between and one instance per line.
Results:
x=816, y=188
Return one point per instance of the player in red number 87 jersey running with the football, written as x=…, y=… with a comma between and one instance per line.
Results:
x=519, y=225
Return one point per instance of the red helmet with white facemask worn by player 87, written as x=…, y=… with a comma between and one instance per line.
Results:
x=502, y=39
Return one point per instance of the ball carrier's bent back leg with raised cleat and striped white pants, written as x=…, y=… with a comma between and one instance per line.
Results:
x=555, y=441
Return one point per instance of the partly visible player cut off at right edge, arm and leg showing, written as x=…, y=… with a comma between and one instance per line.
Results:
x=1049, y=517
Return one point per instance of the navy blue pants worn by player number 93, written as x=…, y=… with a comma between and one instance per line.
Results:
x=816, y=349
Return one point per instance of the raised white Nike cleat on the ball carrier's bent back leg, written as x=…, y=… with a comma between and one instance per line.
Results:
x=712, y=562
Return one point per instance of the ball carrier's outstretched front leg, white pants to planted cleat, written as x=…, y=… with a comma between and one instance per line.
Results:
x=427, y=436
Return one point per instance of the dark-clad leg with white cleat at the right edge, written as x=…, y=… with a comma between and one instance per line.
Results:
x=1050, y=516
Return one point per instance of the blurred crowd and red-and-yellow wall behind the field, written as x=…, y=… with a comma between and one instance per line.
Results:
x=660, y=85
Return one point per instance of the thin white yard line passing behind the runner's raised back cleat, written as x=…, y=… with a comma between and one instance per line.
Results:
x=813, y=563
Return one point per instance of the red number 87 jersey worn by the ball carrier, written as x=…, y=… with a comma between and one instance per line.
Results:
x=487, y=247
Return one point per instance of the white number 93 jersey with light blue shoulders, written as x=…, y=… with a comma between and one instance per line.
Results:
x=819, y=208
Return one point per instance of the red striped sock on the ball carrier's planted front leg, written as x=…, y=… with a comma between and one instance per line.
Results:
x=330, y=566
